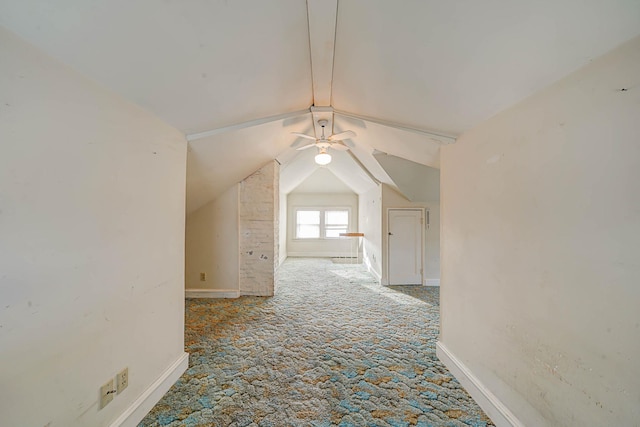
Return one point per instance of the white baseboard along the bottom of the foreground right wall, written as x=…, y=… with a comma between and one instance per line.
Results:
x=494, y=408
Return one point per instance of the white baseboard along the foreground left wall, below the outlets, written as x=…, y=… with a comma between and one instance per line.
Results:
x=132, y=416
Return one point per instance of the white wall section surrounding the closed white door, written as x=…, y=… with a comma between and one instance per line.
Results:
x=431, y=254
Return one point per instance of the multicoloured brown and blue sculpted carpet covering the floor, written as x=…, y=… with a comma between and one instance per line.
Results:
x=331, y=348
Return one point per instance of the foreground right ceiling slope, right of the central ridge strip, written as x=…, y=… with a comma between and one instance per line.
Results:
x=449, y=65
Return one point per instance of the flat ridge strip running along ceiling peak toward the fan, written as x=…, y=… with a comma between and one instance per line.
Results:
x=322, y=15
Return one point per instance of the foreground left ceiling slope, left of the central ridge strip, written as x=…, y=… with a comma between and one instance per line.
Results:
x=198, y=65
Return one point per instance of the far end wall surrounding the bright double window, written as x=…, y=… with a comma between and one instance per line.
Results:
x=320, y=247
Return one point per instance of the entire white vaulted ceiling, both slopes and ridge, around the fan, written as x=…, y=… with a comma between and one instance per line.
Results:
x=237, y=77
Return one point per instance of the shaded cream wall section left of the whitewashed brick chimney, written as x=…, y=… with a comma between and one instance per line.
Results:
x=212, y=244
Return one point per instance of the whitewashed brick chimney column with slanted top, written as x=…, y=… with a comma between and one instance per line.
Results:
x=259, y=228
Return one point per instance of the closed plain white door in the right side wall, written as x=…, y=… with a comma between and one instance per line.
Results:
x=405, y=246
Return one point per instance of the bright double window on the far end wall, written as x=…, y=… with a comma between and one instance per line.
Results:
x=317, y=223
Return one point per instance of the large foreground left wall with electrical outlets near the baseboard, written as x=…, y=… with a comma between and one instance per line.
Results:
x=92, y=193
